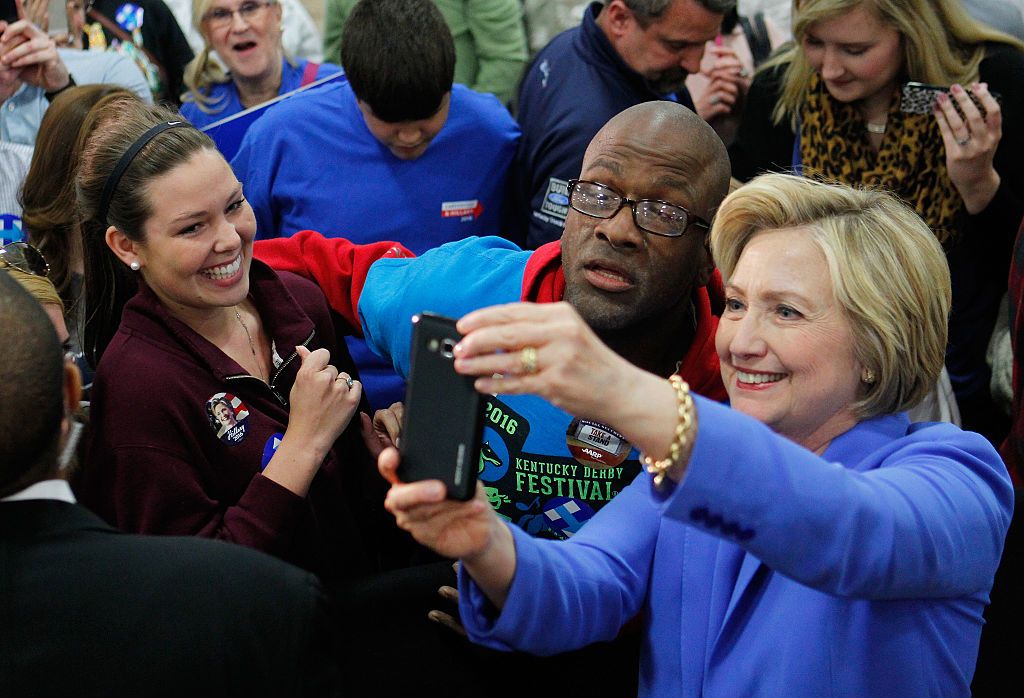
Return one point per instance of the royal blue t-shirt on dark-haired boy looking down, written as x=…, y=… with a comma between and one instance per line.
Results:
x=311, y=163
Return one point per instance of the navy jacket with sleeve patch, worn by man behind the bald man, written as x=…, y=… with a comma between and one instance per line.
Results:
x=576, y=84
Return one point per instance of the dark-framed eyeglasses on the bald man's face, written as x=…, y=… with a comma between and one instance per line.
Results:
x=652, y=215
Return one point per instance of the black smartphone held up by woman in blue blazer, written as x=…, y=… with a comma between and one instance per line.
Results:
x=444, y=421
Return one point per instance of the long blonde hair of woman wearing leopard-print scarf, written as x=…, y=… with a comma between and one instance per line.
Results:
x=943, y=45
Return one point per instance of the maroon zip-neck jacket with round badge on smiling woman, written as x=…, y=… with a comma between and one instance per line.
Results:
x=159, y=463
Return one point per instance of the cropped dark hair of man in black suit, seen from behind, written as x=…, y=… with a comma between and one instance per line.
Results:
x=31, y=389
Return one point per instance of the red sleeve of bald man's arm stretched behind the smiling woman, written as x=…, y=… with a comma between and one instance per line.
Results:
x=338, y=266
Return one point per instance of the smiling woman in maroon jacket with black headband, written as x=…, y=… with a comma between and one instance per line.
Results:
x=223, y=404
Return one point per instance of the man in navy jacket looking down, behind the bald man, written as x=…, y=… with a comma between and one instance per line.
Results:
x=624, y=54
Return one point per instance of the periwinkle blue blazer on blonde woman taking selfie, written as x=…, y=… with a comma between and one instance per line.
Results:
x=774, y=572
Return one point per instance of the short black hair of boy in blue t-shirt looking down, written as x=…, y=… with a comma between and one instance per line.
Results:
x=400, y=58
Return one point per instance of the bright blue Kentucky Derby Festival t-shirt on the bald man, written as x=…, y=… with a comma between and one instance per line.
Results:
x=542, y=469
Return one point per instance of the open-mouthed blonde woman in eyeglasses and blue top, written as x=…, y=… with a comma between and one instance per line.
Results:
x=247, y=40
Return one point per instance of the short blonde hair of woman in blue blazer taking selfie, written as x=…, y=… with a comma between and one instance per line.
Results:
x=889, y=275
